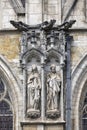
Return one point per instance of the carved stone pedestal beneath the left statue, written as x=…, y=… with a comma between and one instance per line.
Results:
x=33, y=113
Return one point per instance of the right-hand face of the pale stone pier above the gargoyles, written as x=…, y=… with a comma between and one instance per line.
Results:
x=52, y=10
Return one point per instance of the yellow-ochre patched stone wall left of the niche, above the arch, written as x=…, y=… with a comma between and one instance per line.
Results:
x=10, y=49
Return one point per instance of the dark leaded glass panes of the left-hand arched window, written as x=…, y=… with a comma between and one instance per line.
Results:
x=6, y=115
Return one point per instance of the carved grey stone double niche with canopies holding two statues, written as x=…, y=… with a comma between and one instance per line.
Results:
x=42, y=58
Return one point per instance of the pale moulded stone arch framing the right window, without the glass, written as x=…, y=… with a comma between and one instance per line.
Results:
x=79, y=81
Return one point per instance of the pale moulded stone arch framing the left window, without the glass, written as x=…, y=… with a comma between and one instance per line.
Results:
x=14, y=86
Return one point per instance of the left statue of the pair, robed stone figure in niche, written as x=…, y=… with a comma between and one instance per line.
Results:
x=34, y=90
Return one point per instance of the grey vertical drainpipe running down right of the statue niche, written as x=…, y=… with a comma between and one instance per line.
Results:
x=68, y=86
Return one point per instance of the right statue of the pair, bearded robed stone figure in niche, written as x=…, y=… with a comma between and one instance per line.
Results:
x=53, y=89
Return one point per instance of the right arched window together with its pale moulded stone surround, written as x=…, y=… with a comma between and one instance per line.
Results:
x=79, y=95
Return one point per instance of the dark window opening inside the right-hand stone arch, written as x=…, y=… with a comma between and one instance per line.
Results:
x=83, y=108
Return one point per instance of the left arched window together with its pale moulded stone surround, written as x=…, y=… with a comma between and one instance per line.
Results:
x=11, y=102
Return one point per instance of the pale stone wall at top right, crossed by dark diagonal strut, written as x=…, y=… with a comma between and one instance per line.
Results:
x=75, y=10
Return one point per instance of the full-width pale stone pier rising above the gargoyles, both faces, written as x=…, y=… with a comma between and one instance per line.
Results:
x=38, y=11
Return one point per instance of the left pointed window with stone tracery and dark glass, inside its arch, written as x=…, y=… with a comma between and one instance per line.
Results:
x=6, y=114
